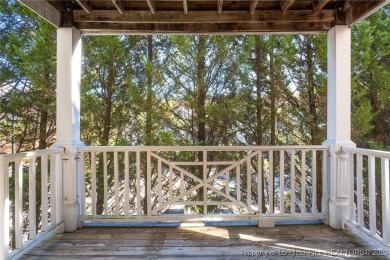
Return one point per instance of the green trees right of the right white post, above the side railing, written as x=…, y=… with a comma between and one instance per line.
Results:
x=370, y=84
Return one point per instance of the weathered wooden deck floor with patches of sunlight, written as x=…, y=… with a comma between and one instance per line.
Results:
x=303, y=241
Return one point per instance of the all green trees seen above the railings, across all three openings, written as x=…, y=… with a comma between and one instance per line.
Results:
x=190, y=90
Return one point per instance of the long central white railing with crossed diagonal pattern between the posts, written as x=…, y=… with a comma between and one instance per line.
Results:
x=146, y=183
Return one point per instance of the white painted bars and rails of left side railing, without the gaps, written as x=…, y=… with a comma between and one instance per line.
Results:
x=55, y=176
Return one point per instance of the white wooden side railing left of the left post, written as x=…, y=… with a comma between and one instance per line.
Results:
x=21, y=227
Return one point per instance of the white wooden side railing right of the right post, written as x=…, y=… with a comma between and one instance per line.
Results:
x=369, y=194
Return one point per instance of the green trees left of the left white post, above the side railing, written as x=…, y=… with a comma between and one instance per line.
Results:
x=27, y=78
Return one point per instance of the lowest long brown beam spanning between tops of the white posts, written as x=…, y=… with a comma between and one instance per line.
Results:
x=225, y=29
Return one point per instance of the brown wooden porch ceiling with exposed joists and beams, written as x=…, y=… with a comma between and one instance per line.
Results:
x=203, y=16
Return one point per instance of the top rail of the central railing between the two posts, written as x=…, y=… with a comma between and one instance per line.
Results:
x=198, y=148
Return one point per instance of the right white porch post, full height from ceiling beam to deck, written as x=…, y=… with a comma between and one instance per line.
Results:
x=339, y=119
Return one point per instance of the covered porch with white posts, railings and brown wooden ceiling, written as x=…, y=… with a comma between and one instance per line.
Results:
x=152, y=182
